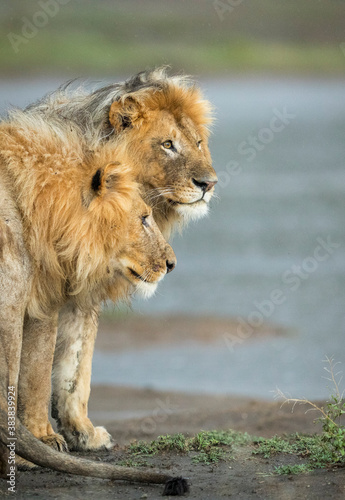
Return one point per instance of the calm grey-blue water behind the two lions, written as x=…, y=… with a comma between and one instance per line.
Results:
x=277, y=202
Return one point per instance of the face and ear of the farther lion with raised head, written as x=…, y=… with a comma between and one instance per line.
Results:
x=169, y=143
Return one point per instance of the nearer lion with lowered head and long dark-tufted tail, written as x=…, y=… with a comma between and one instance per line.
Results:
x=73, y=229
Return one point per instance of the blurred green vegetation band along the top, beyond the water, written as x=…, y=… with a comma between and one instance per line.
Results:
x=112, y=37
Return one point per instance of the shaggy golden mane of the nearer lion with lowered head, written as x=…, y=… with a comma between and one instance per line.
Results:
x=69, y=228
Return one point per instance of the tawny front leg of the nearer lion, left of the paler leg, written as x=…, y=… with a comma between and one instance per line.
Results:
x=39, y=338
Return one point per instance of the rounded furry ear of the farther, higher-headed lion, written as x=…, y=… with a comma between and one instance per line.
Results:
x=125, y=113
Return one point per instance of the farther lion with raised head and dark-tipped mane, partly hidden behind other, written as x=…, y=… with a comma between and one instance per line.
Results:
x=163, y=123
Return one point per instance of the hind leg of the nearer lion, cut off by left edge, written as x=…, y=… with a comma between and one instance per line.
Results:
x=15, y=283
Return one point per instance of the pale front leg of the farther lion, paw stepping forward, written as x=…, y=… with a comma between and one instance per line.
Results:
x=72, y=377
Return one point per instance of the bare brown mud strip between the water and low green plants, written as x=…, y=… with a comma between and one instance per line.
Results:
x=135, y=414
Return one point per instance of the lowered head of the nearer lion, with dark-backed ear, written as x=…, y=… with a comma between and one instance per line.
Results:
x=134, y=250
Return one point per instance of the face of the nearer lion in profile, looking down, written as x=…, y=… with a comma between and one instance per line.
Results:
x=146, y=257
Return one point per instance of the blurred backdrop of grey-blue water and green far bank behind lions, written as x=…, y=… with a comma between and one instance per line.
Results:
x=271, y=255
